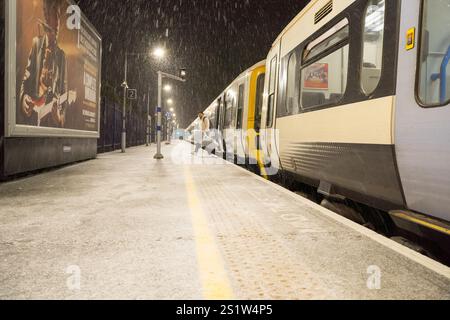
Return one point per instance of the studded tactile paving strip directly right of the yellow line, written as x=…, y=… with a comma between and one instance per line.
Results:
x=259, y=263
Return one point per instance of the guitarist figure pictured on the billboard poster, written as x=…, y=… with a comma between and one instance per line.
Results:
x=43, y=93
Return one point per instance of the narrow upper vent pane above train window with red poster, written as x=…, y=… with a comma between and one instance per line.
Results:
x=338, y=34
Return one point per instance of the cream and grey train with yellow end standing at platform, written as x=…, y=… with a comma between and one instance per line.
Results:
x=352, y=106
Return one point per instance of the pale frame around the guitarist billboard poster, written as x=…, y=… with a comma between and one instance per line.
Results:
x=12, y=129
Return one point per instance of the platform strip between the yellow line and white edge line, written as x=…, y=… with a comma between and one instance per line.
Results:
x=275, y=247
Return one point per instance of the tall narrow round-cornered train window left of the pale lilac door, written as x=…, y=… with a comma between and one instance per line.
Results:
x=373, y=46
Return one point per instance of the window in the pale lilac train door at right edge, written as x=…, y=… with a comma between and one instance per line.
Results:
x=434, y=70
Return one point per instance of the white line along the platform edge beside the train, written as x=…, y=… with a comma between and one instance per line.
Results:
x=418, y=258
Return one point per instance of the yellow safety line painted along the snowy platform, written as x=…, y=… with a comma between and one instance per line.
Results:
x=216, y=285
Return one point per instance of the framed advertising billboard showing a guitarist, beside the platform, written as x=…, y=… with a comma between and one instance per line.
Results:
x=54, y=70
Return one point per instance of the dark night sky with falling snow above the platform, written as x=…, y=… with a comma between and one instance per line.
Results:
x=214, y=39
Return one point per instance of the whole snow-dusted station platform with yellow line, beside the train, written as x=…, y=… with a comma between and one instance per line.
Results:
x=125, y=226
